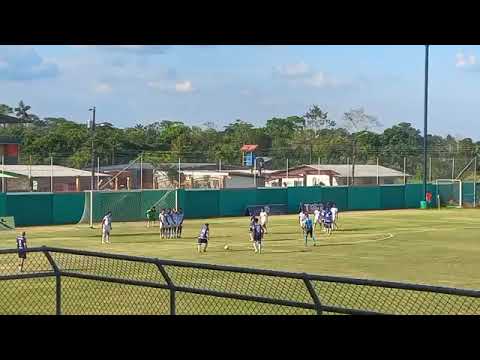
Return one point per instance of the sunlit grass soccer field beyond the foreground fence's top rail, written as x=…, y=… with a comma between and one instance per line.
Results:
x=426, y=247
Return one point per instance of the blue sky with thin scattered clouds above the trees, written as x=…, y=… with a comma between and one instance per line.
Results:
x=140, y=84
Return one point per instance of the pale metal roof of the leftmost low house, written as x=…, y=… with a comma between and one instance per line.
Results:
x=46, y=171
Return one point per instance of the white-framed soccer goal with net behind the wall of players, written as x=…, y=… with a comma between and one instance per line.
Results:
x=125, y=205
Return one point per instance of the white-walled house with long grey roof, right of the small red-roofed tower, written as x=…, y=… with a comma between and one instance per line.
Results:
x=335, y=175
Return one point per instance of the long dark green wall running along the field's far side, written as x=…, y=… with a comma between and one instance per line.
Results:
x=69, y=208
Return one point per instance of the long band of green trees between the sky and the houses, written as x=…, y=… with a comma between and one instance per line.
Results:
x=303, y=139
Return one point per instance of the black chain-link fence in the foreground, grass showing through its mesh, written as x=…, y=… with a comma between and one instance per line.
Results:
x=65, y=281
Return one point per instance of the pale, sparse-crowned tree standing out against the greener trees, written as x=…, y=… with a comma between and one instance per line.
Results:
x=358, y=122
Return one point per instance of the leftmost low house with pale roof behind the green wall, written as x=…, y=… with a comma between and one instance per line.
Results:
x=45, y=178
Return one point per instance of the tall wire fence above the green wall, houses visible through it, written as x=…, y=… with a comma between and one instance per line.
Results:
x=148, y=170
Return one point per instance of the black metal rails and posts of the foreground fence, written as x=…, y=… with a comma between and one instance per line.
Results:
x=309, y=281
